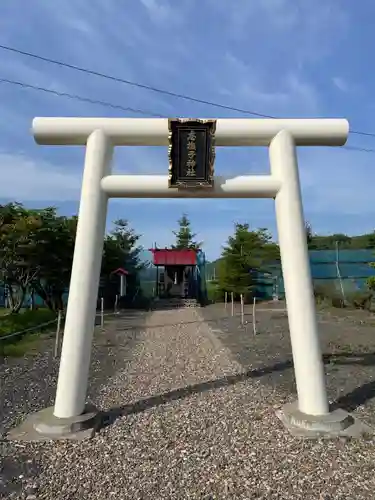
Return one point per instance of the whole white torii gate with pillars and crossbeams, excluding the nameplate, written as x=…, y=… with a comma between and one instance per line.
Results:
x=100, y=135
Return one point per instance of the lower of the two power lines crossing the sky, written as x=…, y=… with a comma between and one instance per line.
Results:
x=118, y=106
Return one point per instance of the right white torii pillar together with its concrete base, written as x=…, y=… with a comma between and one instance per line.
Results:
x=309, y=416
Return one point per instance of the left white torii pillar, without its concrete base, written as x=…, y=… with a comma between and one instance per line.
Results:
x=84, y=283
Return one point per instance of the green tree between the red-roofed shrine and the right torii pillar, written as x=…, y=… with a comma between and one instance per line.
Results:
x=246, y=254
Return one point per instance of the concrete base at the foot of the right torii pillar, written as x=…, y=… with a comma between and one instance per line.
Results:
x=337, y=423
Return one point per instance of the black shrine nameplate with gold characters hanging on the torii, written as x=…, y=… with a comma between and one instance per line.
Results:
x=191, y=153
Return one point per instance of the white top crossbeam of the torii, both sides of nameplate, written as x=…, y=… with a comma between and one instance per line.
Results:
x=154, y=131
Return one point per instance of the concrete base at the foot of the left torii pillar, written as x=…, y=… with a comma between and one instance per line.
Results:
x=44, y=426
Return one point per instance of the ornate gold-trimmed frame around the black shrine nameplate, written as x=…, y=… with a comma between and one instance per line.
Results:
x=211, y=163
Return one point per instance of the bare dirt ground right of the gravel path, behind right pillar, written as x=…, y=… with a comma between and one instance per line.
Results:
x=347, y=340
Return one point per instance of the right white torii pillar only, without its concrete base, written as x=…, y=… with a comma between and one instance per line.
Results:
x=307, y=356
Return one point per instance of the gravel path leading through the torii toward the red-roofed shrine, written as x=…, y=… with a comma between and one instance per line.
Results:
x=188, y=421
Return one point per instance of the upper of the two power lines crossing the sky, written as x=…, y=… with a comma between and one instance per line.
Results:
x=149, y=87
